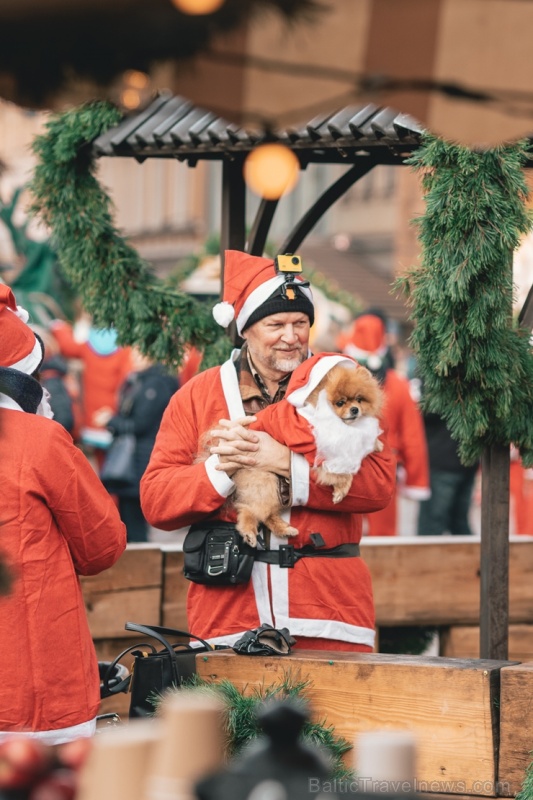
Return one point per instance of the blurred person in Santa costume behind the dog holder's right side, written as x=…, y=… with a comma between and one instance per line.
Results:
x=367, y=343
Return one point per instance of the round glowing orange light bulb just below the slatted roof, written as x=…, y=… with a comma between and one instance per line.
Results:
x=271, y=170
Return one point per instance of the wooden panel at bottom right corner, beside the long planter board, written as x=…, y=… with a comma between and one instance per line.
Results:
x=516, y=725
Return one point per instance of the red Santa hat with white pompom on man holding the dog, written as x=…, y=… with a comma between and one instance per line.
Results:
x=253, y=289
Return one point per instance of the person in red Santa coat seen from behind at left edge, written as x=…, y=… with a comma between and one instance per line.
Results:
x=58, y=522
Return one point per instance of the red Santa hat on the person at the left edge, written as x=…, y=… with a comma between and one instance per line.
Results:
x=20, y=348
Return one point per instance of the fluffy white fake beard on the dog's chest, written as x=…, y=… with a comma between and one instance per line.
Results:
x=340, y=447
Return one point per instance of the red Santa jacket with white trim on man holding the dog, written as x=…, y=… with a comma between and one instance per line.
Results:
x=320, y=597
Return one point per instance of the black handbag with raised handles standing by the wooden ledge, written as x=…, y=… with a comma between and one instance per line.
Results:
x=154, y=670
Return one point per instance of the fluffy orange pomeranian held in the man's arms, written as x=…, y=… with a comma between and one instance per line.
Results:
x=343, y=412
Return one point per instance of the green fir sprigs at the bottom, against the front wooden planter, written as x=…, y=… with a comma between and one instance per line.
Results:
x=240, y=726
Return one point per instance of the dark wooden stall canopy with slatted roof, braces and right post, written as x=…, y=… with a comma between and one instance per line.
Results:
x=361, y=138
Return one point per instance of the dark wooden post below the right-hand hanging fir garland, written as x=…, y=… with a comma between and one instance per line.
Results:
x=494, y=561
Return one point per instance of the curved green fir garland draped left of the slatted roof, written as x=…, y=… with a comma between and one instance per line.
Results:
x=115, y=285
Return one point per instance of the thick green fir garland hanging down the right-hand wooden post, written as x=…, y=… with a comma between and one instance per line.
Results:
x=475, y=363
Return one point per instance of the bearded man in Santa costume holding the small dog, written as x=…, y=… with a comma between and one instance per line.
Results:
x=326, y=603
